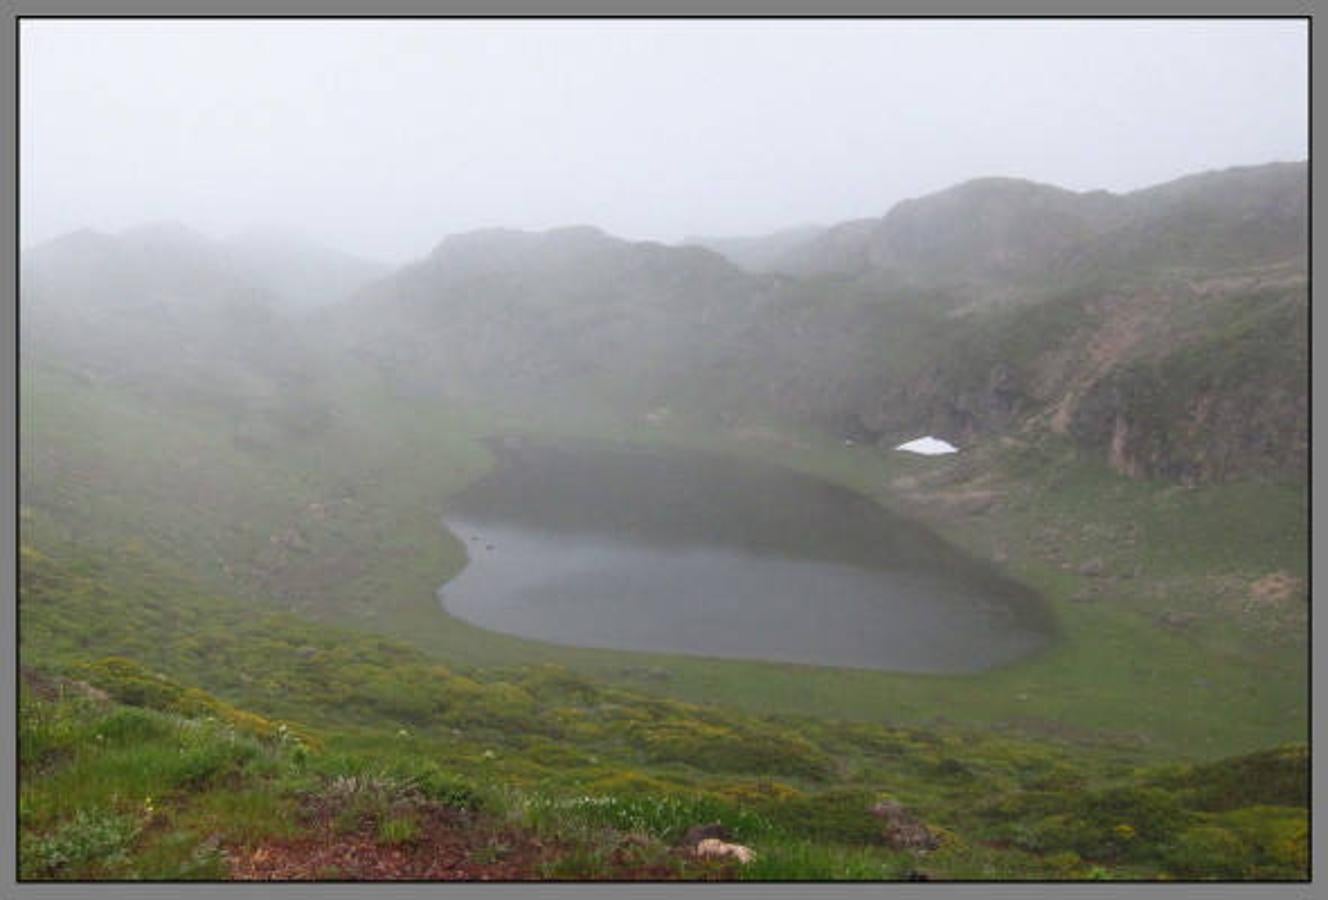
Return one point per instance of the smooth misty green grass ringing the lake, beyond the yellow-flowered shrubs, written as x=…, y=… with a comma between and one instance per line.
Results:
x=1214, y=688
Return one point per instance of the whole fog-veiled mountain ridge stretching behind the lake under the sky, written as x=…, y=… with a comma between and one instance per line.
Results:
x=997, y=307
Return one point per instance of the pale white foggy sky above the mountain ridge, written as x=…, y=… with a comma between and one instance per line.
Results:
x=383, y=137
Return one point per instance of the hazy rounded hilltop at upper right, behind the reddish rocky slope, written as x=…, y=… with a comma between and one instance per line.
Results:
x=993, y=229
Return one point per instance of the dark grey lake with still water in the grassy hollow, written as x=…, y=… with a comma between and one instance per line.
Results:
x=689, y=553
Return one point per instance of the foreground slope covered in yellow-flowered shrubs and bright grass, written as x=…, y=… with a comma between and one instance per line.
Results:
x=363, y=739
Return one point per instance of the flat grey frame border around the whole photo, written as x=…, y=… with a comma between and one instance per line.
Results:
x=10, y=889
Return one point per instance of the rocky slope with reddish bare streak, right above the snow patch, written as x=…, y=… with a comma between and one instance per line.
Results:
x=1189, y=383
